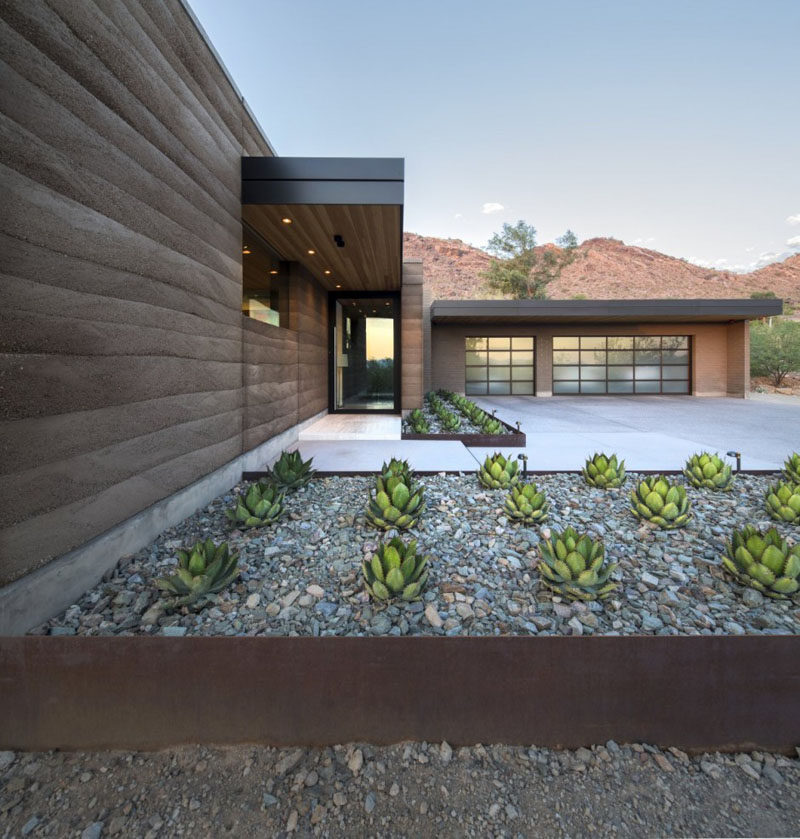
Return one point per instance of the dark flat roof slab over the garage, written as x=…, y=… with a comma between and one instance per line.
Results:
x=566, y=311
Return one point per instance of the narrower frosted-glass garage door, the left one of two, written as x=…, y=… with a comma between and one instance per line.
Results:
x=493, y=363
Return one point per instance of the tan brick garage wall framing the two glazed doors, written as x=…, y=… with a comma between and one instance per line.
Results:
x=720, y=351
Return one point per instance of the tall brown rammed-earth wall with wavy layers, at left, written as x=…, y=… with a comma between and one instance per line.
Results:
x=127, y=370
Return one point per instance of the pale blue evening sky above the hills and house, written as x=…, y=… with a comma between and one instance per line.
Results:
x=668, y=124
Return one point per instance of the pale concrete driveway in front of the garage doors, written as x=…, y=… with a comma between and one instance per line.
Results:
x=650, y=432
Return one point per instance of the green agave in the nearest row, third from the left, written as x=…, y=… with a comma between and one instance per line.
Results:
x=575, y=566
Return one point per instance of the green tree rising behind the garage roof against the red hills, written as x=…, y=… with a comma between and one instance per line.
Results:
x=522, y=270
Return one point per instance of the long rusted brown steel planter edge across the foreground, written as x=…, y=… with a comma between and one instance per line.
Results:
x=699, y=693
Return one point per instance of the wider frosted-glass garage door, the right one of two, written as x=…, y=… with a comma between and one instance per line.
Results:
x=621, y=364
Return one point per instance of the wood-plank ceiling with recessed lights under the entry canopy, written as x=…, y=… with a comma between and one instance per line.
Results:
x=371, y=258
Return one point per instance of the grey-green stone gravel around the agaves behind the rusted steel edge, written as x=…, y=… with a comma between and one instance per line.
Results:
x=302, y=576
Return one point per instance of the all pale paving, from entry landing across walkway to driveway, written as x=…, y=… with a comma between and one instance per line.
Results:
x=649, y=432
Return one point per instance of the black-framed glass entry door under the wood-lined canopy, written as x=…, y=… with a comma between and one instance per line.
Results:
x=365, y=372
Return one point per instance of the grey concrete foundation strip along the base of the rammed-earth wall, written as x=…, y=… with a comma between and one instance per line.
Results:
x=34, y=598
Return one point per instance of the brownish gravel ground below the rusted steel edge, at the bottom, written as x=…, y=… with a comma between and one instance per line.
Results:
x=409, y=789
